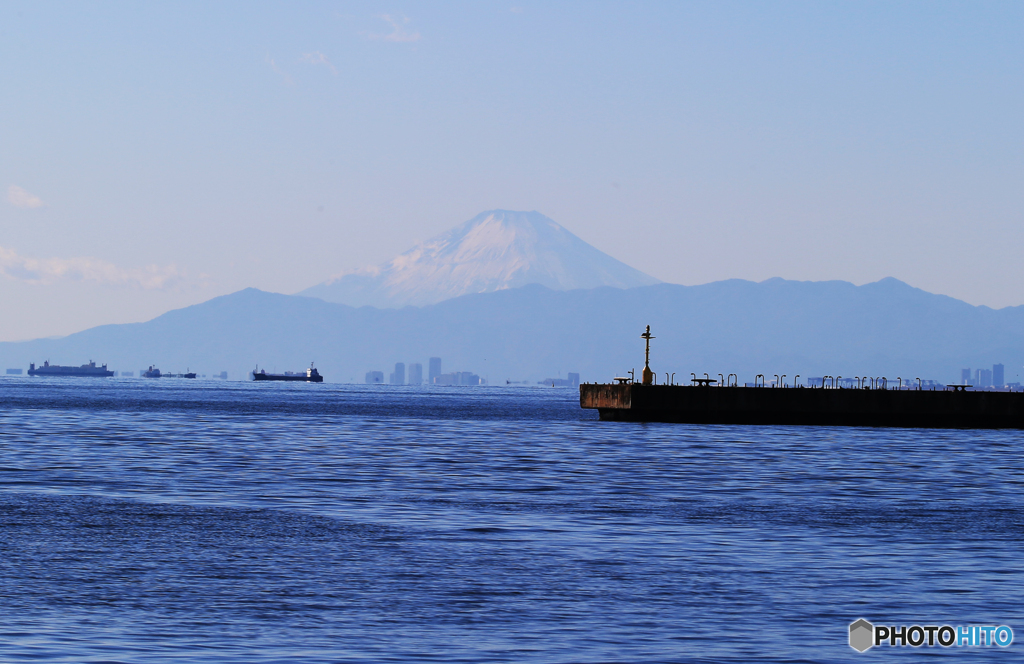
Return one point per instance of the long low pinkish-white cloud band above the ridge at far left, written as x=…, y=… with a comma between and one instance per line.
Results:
x=53, y=271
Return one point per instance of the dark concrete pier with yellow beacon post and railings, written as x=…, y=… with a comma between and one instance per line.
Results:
x=873, y=403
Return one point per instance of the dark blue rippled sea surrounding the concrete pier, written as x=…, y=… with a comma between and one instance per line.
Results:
x=176, y=521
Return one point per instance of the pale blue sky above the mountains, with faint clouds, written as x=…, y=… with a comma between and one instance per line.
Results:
x=154, y=156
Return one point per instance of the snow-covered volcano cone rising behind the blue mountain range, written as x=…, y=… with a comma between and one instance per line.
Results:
x=493, y=252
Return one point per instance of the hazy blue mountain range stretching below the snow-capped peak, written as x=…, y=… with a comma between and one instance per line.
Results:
x=775, y=327
